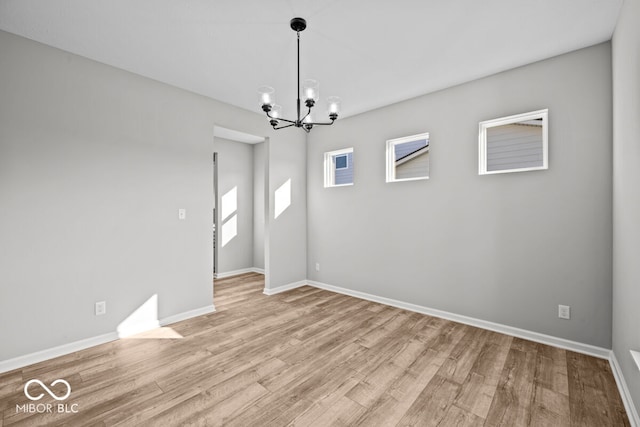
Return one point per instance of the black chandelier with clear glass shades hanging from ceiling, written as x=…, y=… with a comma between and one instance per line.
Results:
x=311, y=95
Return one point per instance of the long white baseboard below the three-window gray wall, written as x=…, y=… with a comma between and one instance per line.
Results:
x=602, y=353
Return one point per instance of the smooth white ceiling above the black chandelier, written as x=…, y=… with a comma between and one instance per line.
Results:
x=371, y=53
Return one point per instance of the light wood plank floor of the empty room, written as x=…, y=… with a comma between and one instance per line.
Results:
x=310, y=357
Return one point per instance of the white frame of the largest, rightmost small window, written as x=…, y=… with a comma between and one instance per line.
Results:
x=516, y=118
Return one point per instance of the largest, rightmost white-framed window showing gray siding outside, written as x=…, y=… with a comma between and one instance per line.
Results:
x=514, y=144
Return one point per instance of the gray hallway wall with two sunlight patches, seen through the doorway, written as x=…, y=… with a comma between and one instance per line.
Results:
x=235, y=172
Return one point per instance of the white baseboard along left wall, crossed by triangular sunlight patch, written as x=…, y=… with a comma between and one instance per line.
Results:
x=62, y=350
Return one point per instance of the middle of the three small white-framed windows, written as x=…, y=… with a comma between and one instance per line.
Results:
x=408, y=158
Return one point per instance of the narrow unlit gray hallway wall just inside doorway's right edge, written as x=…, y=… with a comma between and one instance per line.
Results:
x=259, y=191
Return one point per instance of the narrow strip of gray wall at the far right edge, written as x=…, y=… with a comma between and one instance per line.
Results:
x=626, y=193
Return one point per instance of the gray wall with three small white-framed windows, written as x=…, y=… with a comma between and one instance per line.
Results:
x=504, y=248
